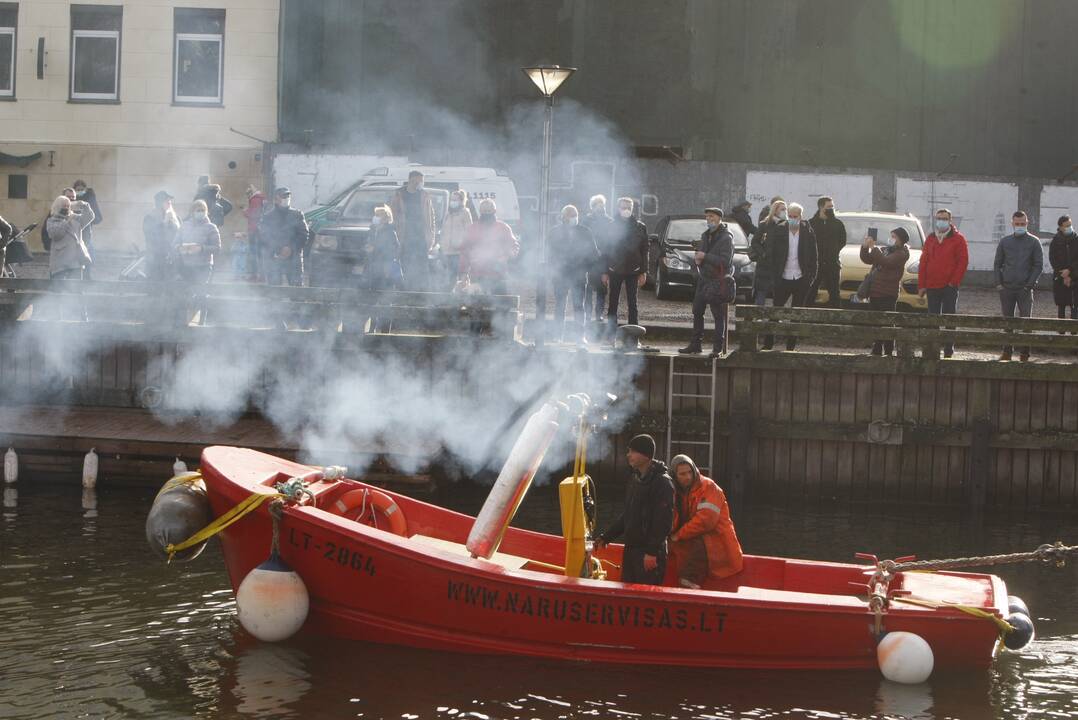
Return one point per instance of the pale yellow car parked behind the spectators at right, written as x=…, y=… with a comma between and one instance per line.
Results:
x=854, y=271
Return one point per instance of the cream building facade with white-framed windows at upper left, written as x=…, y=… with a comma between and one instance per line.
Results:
x=131, y=149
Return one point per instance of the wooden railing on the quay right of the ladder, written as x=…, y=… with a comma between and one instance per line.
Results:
x=911, y=333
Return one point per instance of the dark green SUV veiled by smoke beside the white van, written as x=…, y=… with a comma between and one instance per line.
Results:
x=338, y=255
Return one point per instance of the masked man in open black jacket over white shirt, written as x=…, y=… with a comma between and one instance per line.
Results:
x=793, y=265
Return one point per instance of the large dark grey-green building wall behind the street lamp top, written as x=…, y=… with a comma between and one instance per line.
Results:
x=964, y=87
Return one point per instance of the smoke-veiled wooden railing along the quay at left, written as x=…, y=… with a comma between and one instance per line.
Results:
x=256, y=307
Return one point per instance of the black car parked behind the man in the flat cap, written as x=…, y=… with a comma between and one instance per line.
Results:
x=671, y=256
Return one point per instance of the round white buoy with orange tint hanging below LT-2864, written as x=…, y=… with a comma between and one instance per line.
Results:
x=272, y=601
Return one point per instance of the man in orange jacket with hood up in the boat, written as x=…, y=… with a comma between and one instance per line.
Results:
x=703, y=543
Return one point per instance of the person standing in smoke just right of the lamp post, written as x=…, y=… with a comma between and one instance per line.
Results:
x=572, y=254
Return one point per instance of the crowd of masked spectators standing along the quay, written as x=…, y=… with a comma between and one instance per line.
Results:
x=592, y=259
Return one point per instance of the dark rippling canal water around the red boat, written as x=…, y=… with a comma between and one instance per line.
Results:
x=93, y=627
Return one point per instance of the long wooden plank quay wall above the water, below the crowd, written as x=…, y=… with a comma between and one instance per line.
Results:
x=793, y=428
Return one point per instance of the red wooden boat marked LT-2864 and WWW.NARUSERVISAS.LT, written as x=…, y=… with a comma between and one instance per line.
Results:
x=416, y=583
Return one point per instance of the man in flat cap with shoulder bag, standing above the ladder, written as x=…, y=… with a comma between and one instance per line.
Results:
x=715, y=287
